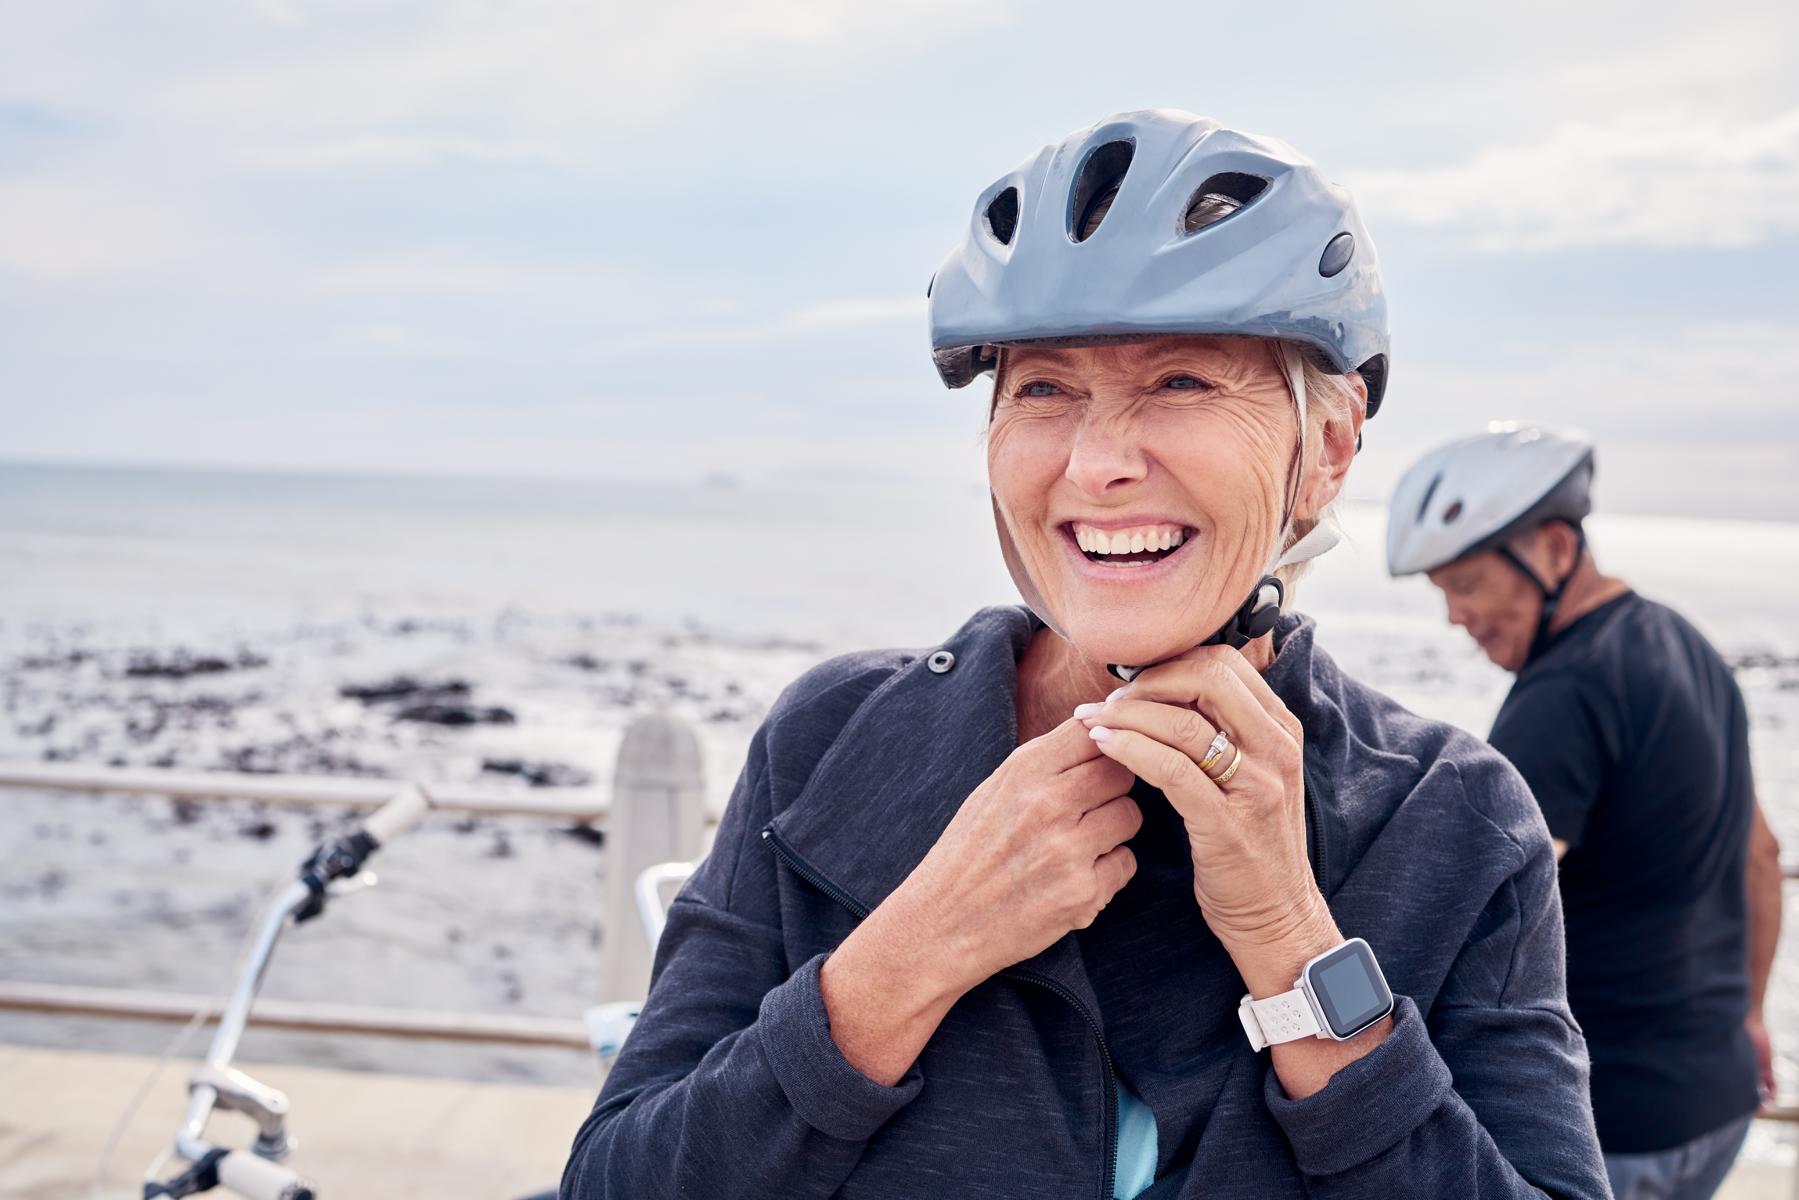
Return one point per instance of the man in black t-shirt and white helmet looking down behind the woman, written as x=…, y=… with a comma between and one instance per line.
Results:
x=1633, y=735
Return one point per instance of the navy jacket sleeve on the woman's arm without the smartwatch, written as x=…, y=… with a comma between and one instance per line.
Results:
x=729, y=1084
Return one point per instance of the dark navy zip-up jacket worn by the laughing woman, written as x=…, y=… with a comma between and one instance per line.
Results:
x=1424, y=839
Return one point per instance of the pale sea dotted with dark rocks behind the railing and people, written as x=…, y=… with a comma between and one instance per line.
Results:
x=573, y=607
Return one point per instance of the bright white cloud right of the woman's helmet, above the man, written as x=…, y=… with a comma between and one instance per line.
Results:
x=1658, y=181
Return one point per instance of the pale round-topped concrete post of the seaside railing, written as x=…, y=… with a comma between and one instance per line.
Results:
x=658, y=816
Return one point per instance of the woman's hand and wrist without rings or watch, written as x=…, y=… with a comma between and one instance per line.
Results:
x=1034, y=854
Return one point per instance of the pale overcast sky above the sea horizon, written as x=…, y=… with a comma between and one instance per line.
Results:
x=663, y=240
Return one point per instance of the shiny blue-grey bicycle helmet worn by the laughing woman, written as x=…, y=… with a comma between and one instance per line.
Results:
x=1163, y=222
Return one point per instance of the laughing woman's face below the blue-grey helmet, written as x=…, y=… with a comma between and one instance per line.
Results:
x=1183, y=442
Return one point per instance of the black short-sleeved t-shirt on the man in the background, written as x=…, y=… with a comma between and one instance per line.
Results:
x=1633, y=735
